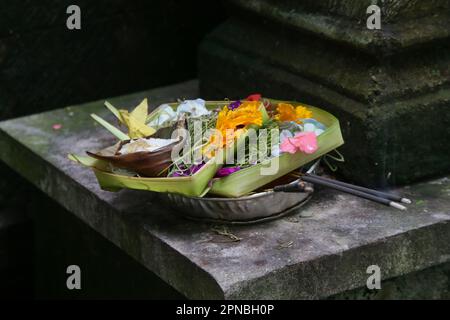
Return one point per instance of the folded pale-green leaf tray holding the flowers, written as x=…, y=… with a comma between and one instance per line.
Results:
x=235, y=185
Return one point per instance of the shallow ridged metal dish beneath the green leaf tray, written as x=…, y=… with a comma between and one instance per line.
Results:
x=254, y=208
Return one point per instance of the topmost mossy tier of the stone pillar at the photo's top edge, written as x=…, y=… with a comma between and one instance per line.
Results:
x=405, y=23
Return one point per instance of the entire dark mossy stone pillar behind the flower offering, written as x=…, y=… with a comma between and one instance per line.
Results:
x=390, y=88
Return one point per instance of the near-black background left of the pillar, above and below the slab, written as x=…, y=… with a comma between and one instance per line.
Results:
x=122, y=47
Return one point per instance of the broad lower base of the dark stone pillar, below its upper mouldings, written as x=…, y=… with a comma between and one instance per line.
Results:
x=392, y=110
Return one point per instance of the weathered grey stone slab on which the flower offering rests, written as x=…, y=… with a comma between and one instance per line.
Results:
x=290, y=258
